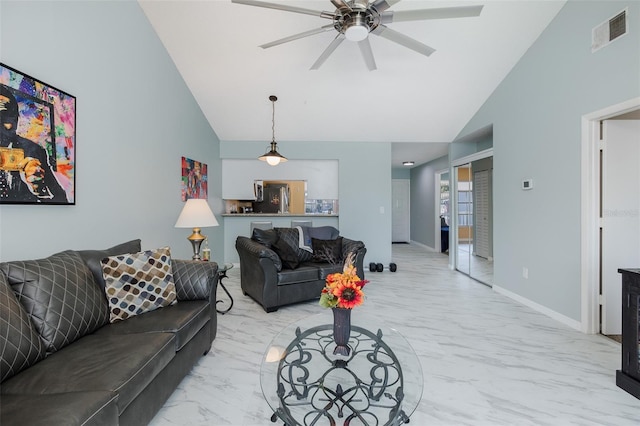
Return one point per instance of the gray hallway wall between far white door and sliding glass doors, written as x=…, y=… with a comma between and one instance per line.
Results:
x=423, y=204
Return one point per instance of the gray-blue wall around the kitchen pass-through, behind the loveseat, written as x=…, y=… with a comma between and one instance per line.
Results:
x=364, y=182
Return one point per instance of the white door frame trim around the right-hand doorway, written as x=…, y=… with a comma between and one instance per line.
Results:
x=590, y=208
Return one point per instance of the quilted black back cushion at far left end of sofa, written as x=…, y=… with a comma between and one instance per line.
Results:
x=20, y=345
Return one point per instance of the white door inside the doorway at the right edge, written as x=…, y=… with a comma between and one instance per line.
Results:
x=620, y=214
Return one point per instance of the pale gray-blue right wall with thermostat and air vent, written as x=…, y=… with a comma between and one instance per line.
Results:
x=536, y=113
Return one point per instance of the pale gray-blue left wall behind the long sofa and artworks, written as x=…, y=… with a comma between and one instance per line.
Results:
x=135, y=120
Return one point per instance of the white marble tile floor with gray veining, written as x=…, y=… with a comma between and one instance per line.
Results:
x=486, y=359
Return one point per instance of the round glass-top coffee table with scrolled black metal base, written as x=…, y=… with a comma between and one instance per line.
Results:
x=379, y=383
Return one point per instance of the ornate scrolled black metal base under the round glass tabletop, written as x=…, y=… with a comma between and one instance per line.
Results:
x=316, y=388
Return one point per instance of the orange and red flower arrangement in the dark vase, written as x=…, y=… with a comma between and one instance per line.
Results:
x=343, y=290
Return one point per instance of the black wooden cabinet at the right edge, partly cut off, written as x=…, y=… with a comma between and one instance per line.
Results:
x=628, y=378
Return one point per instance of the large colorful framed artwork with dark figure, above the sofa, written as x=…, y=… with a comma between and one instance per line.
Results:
x=37, y=141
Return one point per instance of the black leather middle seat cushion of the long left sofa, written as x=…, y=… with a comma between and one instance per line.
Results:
x=124, y=364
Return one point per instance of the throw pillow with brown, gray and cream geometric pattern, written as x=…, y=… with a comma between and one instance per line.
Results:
x=138, y=283
